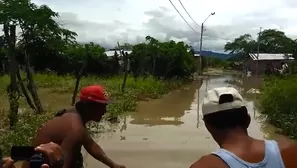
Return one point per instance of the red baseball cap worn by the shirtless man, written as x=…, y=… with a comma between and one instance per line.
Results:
x=94, y=93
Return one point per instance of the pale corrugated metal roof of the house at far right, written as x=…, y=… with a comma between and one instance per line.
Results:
x=266, y=56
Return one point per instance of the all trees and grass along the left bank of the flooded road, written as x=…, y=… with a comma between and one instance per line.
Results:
x=43, y=67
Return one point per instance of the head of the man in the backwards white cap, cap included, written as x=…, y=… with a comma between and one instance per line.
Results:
x=224, y=111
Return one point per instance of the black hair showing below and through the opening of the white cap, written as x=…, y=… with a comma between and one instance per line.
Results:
x=228, y=119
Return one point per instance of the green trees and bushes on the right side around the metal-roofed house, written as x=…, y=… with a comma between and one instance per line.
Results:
x=278, y=94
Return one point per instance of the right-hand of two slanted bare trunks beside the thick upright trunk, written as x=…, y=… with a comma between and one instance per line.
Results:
x=32, y=86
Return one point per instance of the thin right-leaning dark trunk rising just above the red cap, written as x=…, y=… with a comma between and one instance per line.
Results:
x=79, y=75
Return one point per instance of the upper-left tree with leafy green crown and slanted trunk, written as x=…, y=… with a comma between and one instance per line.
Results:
x=38, y=27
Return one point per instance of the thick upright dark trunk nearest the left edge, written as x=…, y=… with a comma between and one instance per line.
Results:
x=12, y=89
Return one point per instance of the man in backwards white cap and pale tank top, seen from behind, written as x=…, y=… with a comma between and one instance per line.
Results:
x=226, y=118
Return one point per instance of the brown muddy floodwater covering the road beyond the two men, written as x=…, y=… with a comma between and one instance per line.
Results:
x=168, y=132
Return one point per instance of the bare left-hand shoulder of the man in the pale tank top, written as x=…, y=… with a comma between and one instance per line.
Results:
x=208, y=161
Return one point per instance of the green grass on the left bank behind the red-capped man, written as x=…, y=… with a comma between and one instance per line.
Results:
x=55, y=93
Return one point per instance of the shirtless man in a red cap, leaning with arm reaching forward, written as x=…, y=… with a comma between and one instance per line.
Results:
x=68, y=128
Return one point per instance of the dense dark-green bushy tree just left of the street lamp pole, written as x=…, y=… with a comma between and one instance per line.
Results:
x=162, y=59
